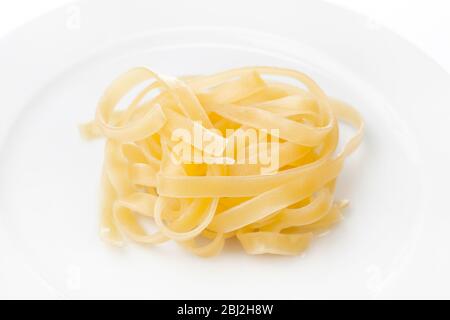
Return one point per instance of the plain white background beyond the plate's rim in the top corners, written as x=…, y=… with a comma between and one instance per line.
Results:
x=426, y=23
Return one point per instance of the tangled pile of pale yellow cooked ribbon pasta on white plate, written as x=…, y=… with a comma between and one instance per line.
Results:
x=242, y=154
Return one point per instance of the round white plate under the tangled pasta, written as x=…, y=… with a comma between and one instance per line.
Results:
x=394, y=242
